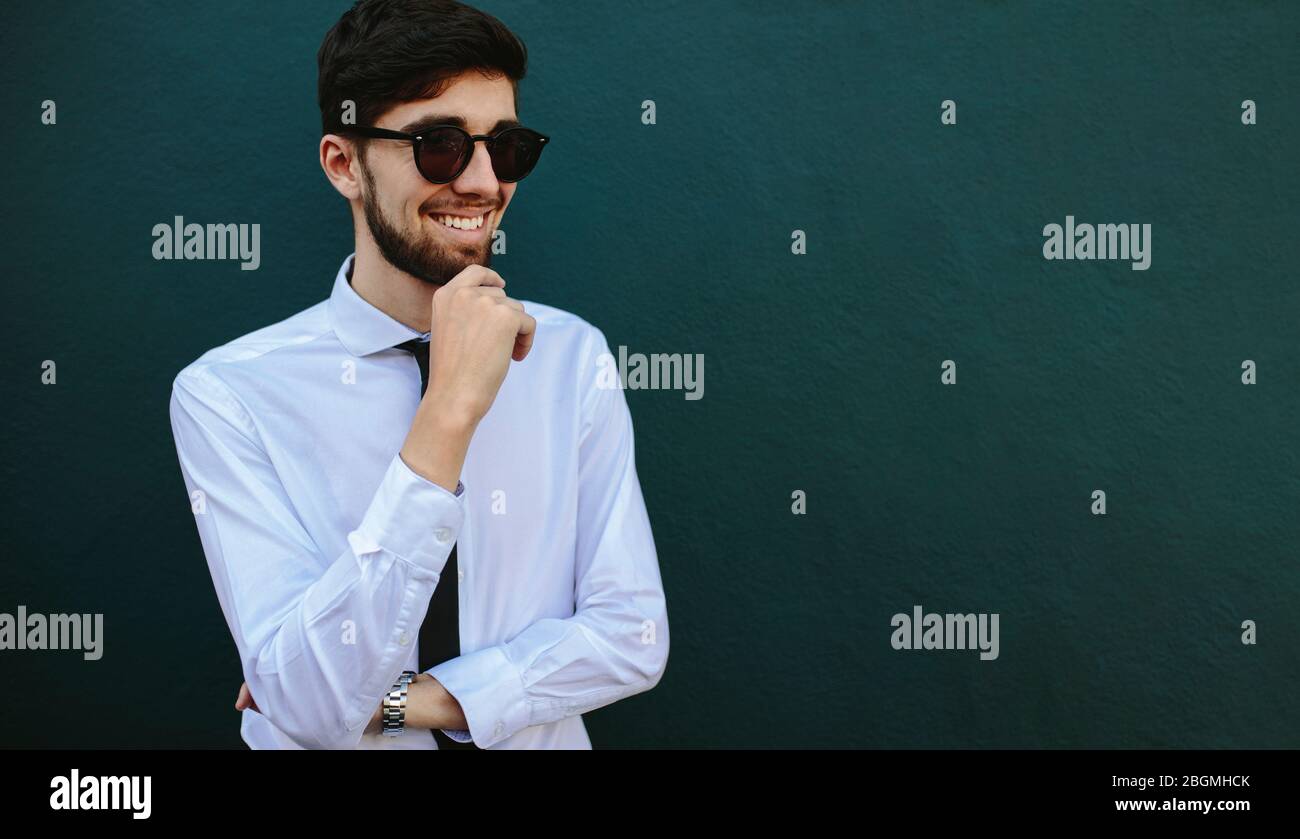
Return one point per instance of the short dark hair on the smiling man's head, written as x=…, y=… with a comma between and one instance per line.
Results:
x=384, y=53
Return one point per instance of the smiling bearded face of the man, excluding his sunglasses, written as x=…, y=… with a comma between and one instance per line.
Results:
x=406, y=214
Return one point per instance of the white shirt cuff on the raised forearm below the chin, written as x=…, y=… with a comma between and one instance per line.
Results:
x=413, y=518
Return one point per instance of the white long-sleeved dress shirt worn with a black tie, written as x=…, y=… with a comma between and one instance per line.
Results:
x=326, y=548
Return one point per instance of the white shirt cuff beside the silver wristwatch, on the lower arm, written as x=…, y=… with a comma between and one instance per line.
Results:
x=491, y=693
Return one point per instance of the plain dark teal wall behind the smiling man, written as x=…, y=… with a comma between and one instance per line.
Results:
x=822, y=371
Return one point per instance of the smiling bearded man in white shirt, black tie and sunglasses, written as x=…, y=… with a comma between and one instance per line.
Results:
x=421, y=511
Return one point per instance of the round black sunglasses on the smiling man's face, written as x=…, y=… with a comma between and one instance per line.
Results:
x=444, y=152
